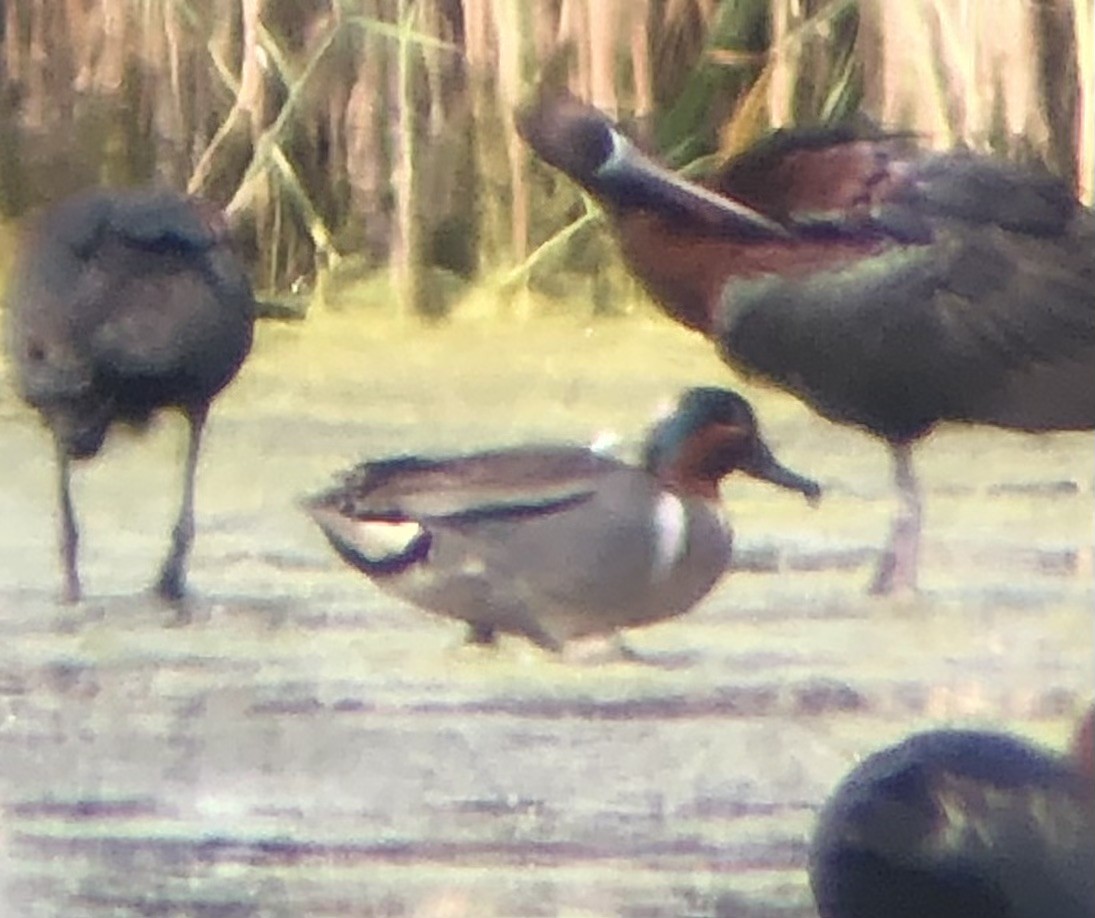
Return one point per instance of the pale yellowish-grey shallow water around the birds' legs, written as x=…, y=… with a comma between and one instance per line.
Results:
x=299, y=744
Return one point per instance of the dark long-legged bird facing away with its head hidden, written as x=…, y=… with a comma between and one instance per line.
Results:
x=122, y=304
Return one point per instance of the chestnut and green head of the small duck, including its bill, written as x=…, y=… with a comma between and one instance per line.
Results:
x=712, y=433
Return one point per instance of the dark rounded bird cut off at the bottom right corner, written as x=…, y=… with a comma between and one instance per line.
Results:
x=961, y=824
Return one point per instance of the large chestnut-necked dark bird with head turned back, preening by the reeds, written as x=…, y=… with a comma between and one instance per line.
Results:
x=886, y=286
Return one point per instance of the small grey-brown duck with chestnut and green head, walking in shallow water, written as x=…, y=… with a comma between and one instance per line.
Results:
x=556, y=543
